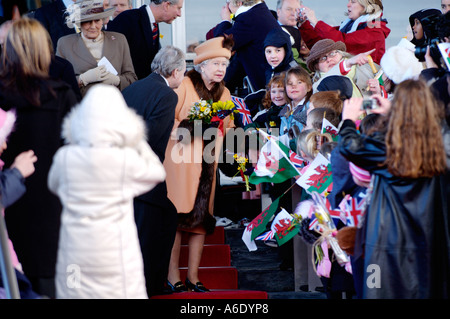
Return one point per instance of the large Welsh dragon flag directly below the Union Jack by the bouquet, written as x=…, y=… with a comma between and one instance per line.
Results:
x=273, y=164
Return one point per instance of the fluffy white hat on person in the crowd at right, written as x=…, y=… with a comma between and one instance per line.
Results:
x=400, y=64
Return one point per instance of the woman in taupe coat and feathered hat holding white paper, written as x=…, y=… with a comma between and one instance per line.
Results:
x=97, y=56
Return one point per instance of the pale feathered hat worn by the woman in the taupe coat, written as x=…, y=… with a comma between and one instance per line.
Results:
x=87, y=10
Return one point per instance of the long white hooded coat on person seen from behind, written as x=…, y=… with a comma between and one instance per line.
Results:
x=105, y=164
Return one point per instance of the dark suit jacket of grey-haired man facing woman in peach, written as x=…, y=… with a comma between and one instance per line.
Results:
x=155, y=101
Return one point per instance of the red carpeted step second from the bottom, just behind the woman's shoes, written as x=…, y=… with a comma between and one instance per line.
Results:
x=215, y=277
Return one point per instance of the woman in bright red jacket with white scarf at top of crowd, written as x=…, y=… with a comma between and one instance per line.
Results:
x=363, y=30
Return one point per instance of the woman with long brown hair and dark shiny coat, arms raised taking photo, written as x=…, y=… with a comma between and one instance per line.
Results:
x=405, y=236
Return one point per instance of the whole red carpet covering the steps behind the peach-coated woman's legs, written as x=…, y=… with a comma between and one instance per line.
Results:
x=215, y=272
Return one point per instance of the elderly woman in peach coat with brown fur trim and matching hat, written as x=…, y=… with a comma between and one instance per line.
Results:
x=189, y=162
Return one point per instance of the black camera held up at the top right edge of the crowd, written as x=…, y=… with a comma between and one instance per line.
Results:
x=430, y=25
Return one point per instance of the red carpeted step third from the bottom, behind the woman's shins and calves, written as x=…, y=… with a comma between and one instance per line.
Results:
x=213, y=255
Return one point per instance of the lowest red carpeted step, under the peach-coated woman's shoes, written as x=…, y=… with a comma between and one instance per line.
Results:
x=217, y=294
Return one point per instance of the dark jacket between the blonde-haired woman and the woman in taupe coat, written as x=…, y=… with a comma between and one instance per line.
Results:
x=52, y=18
